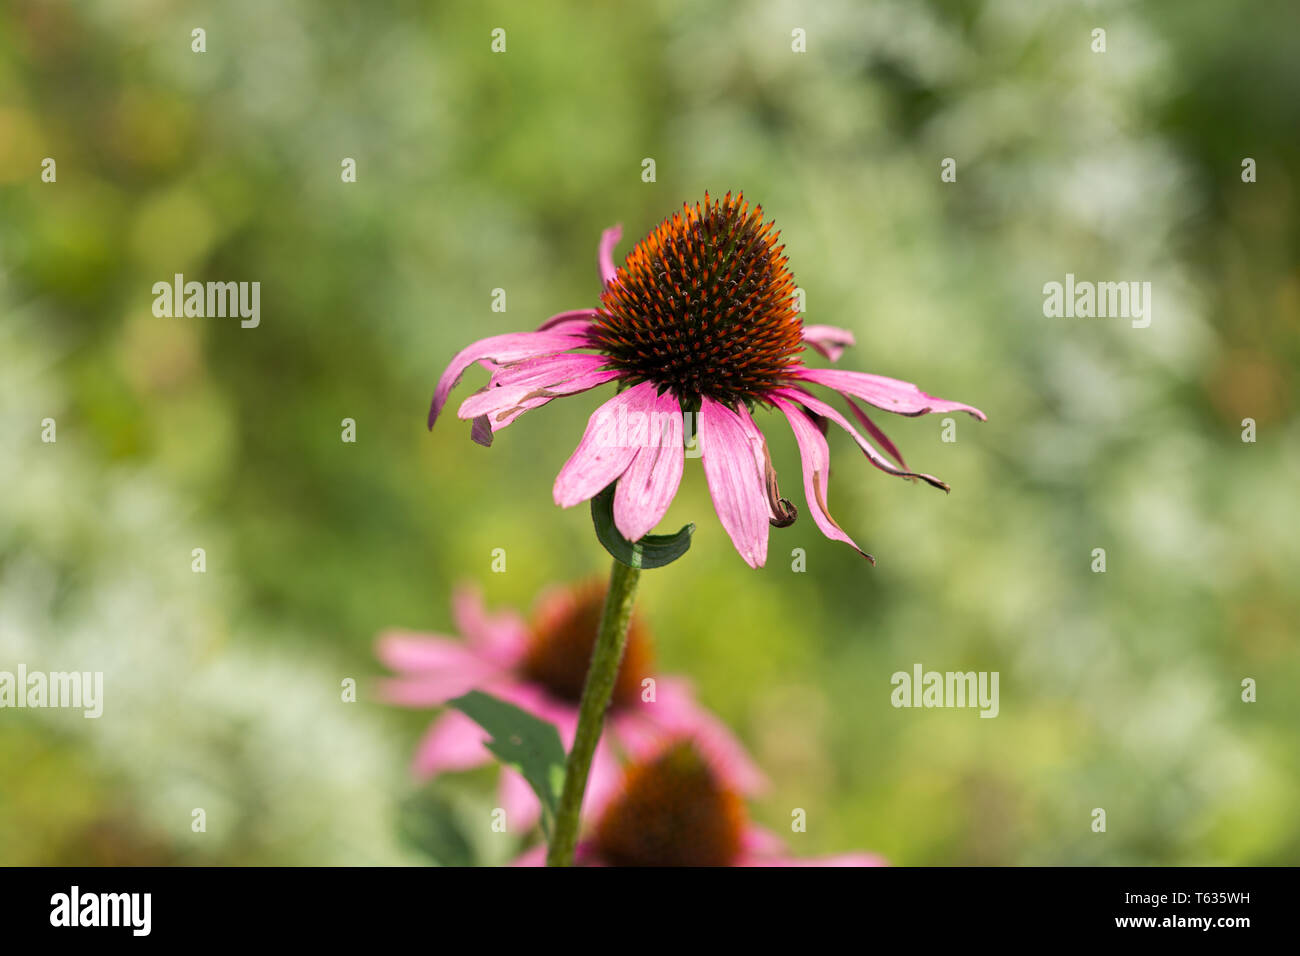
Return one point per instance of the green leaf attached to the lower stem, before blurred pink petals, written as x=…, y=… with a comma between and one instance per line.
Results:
x=521, y=741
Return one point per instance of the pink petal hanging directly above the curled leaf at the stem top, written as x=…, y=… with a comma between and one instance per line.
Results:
x=648, y=487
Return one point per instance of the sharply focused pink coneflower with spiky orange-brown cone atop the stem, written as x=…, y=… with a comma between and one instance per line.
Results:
x=700, y=319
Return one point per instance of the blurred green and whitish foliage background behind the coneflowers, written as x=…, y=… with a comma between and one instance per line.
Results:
x=480, y=171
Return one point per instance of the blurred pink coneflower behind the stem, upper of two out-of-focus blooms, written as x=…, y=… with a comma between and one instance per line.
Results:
x=540, y=667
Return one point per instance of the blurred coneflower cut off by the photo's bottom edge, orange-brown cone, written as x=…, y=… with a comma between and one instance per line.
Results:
x=677, y=807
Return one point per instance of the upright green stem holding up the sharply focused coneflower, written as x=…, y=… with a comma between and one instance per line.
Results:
x=601, y=676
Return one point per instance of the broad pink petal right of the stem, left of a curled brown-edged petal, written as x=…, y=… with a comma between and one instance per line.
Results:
x=731, y=452
